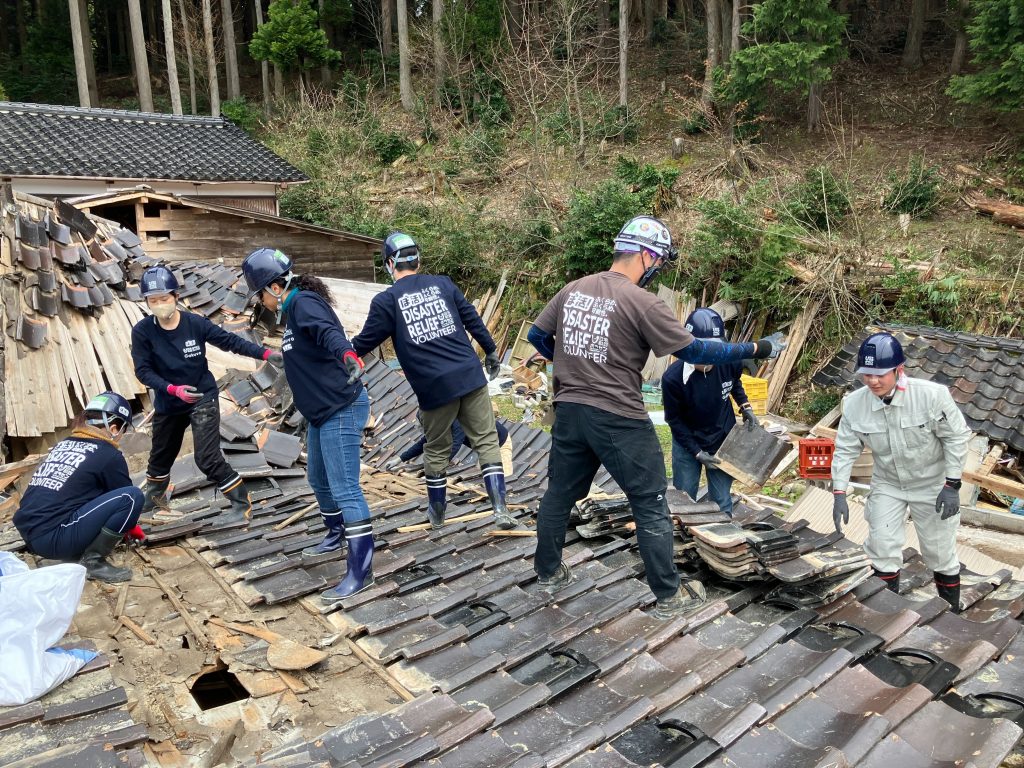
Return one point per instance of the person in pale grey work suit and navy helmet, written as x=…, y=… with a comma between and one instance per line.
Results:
x=918, y=439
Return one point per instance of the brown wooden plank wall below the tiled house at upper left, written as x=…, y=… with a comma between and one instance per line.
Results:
x=182, y=234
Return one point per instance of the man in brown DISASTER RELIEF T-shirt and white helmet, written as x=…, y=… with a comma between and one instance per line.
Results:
x=600, y=331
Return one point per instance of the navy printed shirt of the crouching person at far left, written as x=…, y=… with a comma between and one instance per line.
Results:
x=76, y=472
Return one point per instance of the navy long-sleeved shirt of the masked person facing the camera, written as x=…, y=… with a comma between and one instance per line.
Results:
x=179, y=357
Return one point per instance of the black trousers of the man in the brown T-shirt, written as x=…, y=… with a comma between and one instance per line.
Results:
x=584, y=438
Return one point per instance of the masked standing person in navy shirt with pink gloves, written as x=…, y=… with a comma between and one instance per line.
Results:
x=169, y=352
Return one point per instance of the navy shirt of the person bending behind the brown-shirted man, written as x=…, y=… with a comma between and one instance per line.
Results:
x=699, y=411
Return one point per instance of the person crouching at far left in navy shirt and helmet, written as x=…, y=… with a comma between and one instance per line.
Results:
x=81, y=502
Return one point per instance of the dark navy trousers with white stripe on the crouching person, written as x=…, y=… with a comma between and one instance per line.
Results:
x=116, y=510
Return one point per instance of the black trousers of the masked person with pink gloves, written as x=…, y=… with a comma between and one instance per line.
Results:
x=168, y=432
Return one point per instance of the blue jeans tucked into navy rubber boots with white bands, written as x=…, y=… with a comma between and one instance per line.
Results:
x=333, y=461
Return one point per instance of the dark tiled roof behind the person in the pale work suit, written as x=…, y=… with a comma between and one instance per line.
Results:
x=986, y=374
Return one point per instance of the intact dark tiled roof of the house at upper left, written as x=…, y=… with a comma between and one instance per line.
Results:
x=52, y=141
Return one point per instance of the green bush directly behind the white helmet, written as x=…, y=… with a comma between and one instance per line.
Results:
x=592, y=224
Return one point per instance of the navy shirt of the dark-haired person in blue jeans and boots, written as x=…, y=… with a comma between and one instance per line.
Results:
x=313, y=346
